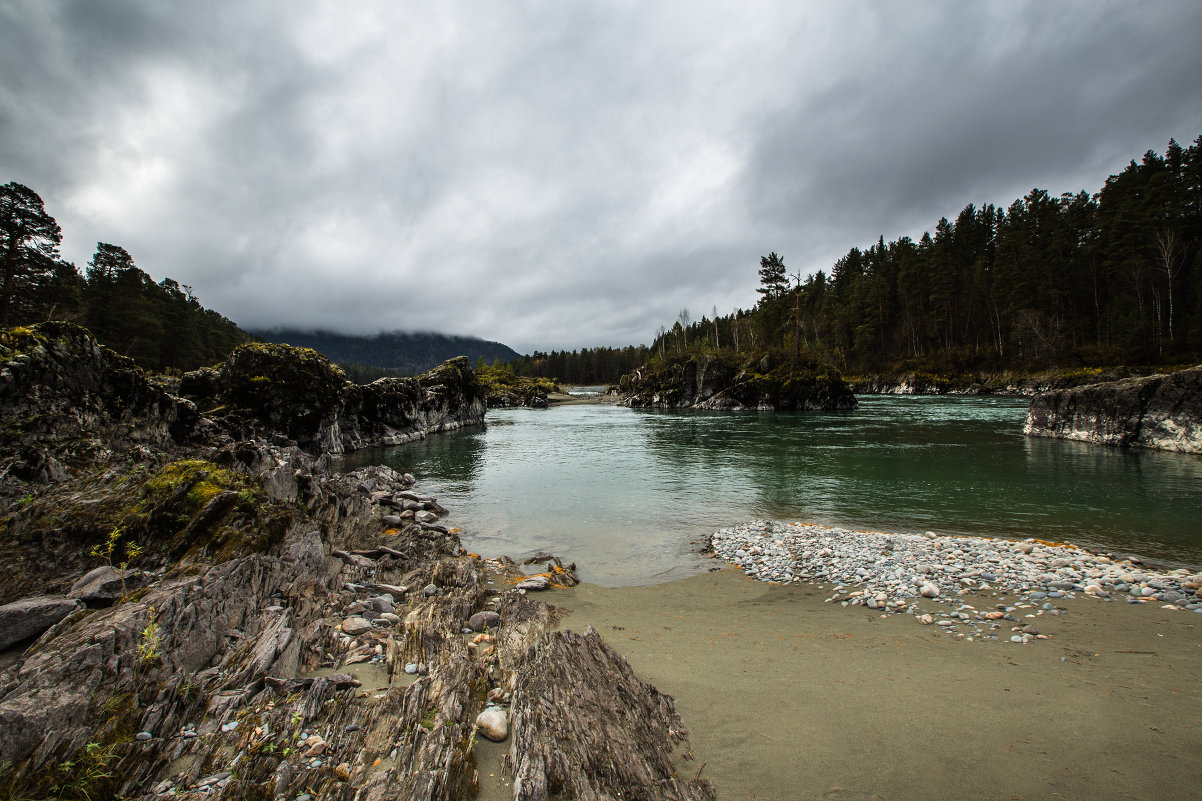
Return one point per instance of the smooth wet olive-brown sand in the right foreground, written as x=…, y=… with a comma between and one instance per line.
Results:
x=789, y=698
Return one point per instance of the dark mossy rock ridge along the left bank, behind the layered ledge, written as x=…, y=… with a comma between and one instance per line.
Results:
x=59, y=388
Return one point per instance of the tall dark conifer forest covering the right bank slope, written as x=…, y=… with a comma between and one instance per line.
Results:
x=1103, y=280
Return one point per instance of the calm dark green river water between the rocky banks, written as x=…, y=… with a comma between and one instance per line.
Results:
x=630, y=495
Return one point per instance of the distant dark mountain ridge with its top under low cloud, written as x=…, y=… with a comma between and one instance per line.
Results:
x=412, y=353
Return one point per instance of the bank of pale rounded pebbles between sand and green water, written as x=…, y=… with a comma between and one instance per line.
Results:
x=927, y=575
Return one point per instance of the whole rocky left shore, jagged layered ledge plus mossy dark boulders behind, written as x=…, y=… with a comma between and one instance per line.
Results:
x=285, y=630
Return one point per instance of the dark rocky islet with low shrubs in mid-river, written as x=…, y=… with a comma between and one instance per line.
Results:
x=717, y=382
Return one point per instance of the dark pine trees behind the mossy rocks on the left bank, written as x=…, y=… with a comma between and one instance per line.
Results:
x=160, y=325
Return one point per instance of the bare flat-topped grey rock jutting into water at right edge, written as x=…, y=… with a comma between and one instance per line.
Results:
x=1159, y=412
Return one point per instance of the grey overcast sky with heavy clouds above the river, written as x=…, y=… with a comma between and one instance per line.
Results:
x=560, y=175
